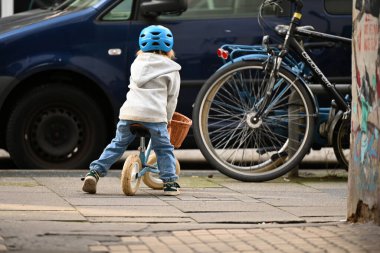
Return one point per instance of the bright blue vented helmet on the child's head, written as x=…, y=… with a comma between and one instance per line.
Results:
x=156, y=37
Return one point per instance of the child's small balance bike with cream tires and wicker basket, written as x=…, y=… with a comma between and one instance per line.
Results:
x=144, y=165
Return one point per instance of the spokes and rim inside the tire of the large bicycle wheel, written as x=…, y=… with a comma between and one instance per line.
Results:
x=245, y=140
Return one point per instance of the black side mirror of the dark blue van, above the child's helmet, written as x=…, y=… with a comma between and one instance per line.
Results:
x=157, y=7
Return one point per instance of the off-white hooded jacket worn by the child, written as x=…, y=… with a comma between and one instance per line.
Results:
x=153, y=89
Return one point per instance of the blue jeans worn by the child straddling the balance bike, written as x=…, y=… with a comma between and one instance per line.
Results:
x=160, y=144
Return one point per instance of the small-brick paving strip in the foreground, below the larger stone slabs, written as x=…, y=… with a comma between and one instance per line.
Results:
x=290, y=238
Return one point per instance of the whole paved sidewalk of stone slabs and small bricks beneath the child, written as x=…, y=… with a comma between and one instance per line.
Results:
x=46, y=211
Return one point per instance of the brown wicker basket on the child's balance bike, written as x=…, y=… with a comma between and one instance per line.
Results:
x=178, y=129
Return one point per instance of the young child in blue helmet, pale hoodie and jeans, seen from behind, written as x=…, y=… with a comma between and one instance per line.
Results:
x=151, y=101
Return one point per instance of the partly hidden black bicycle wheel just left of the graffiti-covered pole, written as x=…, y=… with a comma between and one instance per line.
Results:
x=341, y=142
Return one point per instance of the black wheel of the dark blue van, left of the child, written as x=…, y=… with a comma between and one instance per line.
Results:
x=55, y=127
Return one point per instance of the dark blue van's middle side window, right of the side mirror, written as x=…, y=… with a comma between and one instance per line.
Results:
x=199, y=9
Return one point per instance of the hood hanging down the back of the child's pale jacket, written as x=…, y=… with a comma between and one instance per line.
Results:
x=148, y=66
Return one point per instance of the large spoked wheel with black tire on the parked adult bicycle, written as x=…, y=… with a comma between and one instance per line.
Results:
x=241, y=145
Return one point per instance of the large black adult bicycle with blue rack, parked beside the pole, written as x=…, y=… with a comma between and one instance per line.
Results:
x=255, y=117
